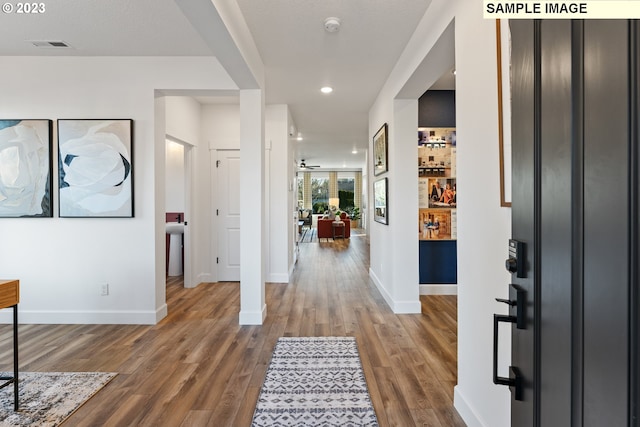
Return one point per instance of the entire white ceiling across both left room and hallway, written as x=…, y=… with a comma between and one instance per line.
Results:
x=298, y=54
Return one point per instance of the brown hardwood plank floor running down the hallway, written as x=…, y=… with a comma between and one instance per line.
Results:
x=198, y=367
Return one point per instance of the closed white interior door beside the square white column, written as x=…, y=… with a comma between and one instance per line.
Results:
x=228, y=214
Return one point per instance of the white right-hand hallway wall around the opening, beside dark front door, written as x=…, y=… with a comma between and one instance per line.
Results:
x=481, y=247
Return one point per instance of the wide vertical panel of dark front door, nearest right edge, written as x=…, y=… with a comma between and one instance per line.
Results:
x=606, y=223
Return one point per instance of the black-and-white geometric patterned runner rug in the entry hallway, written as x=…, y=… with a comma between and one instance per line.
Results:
x=316, y=381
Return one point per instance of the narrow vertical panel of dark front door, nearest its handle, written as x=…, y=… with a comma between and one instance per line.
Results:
x=555, y=225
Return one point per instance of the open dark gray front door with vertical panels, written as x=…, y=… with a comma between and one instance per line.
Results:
x=575, y=209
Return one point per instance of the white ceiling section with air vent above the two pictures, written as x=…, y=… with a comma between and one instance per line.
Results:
x=103, y=28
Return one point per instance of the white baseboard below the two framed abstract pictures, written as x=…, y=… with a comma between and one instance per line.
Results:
x=69, y=317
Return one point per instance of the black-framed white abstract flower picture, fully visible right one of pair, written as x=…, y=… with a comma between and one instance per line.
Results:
x=95, y=168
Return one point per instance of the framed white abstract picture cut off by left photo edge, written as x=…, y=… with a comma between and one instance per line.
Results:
x=26, y=168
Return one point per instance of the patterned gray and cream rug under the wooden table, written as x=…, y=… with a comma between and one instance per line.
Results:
x=49, y=398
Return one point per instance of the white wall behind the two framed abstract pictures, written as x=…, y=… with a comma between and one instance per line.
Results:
x=62, y=262
